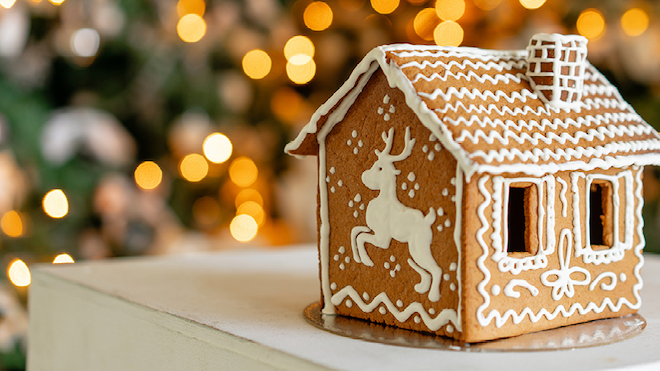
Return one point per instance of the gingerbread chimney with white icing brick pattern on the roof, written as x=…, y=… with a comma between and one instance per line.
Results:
x=555, y=67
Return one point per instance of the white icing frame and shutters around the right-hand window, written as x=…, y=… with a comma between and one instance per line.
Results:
x=614, y=246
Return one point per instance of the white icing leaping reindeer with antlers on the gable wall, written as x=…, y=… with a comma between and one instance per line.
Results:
x=388, y=218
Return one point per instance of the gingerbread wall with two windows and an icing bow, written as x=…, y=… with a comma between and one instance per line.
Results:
x=567, y=280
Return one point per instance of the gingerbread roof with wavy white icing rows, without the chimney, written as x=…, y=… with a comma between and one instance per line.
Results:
x=481, y=106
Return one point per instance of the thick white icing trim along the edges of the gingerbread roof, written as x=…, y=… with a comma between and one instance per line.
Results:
x=335, y=108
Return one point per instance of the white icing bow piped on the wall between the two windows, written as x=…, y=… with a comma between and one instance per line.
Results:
x=563, y=284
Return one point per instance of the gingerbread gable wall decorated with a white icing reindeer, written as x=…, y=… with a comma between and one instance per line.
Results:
x=392, y=256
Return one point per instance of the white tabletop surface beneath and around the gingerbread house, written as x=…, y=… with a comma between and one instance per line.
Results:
x=259, y=296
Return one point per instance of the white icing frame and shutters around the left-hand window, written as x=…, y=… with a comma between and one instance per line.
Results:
x=544, y=239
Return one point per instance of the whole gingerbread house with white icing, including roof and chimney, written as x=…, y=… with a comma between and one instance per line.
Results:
x=479, y=194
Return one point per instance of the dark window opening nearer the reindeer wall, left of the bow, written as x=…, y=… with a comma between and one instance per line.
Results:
x=522, y=219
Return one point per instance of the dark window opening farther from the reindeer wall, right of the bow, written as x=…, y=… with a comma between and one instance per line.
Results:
x=601, y=229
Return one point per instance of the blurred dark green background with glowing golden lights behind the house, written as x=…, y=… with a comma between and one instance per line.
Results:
x=136, y=127
